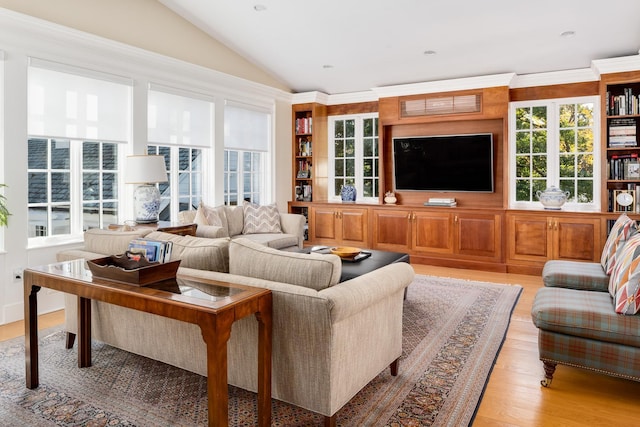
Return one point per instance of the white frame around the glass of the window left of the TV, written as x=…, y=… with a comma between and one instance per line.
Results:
x=359, y=157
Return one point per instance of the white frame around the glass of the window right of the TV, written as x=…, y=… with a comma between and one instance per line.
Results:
x=553, y=141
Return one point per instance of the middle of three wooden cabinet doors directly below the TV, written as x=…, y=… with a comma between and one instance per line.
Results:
x=432, y=232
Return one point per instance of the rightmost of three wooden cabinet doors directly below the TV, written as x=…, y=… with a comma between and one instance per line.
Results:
x=478, y=235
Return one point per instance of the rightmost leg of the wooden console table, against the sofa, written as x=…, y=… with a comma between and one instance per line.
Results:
x=264, y=361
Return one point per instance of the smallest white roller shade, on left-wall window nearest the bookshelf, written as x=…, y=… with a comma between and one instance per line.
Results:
x=246, y=128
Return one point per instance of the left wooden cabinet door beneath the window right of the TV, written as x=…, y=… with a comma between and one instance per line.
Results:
x=528, y=238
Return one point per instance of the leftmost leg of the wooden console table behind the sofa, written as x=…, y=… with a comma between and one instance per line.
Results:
x=31, y=331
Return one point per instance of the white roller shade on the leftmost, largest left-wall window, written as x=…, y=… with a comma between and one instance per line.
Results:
x=69, y=105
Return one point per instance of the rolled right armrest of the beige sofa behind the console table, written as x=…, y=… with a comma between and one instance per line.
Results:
x=352, y=296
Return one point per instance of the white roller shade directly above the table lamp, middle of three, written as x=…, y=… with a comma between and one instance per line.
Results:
x=179, y=120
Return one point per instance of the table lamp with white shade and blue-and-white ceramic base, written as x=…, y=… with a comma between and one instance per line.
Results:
x=146, y=170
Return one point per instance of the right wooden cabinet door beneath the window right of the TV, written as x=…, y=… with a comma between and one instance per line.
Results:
x=576, y=239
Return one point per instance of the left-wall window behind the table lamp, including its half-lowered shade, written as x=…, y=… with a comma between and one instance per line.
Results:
x=180, y=128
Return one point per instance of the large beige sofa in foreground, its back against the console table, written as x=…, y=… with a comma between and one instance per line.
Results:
x=329, y=339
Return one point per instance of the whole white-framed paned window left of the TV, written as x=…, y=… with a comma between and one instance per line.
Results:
x=354, y=155
